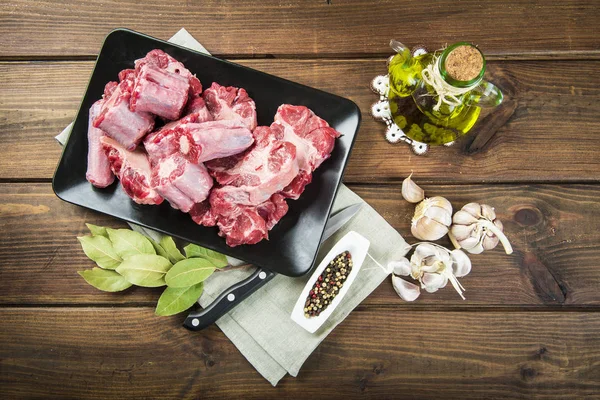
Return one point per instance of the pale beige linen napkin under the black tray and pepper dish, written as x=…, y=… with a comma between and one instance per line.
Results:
x=261, y=327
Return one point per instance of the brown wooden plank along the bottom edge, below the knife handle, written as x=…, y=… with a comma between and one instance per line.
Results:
x=91, y=353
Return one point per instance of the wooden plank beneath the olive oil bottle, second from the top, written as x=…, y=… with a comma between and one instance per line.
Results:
x=552, y=135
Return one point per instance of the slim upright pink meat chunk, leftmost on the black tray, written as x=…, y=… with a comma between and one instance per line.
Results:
x=98, y=171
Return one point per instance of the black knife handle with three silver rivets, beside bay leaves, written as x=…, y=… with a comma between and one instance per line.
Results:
x=231, y=297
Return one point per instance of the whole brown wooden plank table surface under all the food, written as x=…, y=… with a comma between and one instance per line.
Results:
x=530, y=327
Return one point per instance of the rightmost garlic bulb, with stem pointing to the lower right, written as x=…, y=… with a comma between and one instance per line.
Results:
x=475, y=229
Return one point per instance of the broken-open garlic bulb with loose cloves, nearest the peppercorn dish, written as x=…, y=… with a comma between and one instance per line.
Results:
x=433, y=266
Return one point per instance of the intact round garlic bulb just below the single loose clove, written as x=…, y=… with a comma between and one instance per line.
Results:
x=432, y=218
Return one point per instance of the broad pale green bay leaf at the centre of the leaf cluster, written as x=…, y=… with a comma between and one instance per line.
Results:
x=146, y=270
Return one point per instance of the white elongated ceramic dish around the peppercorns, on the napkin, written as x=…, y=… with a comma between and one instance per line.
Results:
x=358, y=246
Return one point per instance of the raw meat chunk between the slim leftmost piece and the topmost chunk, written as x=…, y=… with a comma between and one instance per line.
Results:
x=118, y=121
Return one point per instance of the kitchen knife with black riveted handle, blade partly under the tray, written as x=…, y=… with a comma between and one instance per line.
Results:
x=235, y=294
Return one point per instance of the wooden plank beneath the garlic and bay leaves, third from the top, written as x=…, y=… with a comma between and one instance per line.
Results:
x=553, y=229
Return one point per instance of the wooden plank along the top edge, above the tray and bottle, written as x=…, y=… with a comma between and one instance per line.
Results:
x=511, y=27
